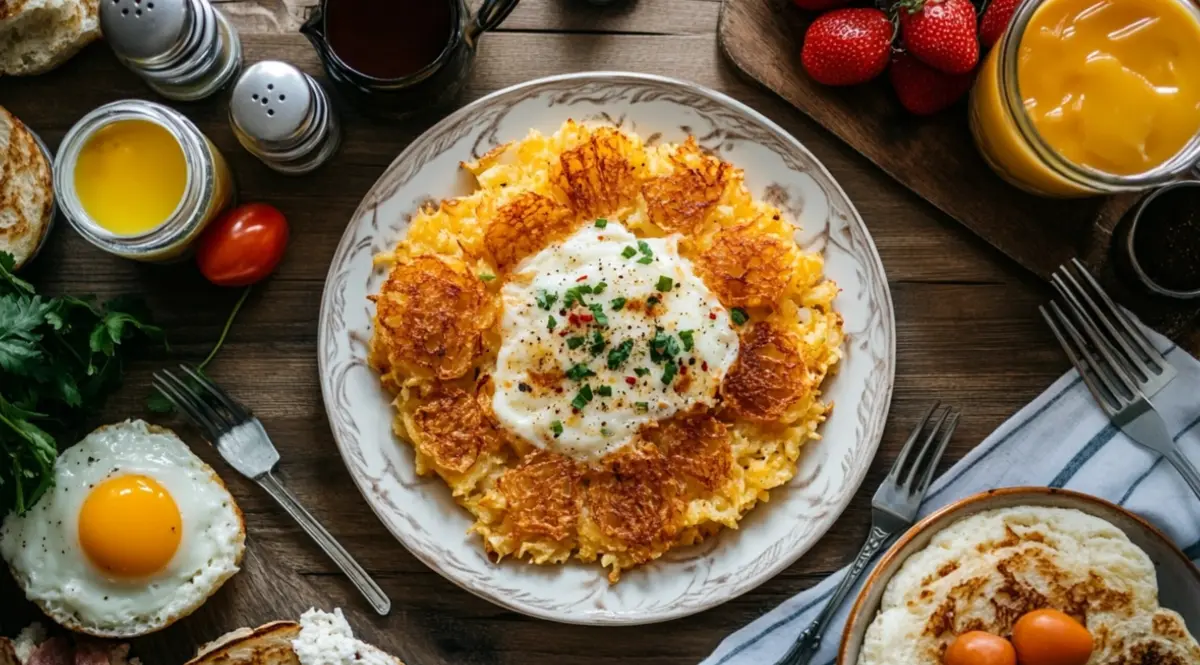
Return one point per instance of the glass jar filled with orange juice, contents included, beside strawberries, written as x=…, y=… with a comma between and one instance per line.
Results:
x=1084, y=98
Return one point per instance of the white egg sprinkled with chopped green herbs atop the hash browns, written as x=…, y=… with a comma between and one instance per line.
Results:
x=603, y=334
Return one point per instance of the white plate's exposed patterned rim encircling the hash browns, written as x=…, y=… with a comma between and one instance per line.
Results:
x=419, y=511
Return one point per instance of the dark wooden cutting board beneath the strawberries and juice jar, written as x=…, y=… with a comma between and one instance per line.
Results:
x=938, y=160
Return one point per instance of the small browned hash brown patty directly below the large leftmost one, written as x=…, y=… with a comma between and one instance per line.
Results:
x=454, y=428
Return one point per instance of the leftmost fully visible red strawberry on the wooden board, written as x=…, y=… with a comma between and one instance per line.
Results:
x=845, y=47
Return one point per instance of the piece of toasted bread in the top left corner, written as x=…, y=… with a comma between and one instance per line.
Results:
x=40, y=35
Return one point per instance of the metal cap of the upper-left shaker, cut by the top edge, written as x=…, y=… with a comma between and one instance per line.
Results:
x=145, y=29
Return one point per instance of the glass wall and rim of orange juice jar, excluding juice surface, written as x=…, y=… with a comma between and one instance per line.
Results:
x=1012, y=146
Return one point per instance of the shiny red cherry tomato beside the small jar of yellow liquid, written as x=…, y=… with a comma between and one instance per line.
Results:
x=243, y=247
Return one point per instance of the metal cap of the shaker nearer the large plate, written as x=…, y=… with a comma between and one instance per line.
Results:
x=272, y=103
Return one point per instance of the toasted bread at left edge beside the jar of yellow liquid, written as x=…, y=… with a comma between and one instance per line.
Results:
x=27, y=202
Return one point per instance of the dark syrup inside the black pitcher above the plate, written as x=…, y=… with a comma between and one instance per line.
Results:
x=388, y=39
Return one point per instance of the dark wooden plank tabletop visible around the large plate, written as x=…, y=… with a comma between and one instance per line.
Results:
x=968, y=328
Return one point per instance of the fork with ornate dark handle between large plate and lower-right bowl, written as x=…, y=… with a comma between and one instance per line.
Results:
x=893, y=511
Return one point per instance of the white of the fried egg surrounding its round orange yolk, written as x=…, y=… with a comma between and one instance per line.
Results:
x=43, y=548
